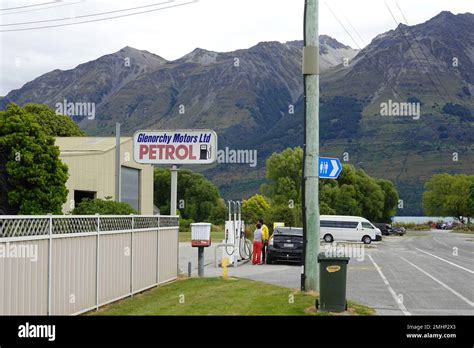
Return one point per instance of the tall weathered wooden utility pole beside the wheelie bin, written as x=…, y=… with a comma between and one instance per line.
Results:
x=310, y=274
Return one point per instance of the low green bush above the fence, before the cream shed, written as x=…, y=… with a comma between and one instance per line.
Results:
x=103, y=207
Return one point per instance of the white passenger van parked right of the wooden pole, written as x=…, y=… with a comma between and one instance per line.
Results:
x=348, y=228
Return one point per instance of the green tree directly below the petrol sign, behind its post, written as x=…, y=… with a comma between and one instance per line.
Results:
x=198, y=198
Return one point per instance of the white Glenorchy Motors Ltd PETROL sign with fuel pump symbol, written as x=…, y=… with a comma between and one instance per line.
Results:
x=175, y=147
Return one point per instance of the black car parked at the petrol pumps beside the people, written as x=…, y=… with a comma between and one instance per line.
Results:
x=286, y=244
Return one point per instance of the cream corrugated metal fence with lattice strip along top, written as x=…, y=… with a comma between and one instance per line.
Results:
x=65, y=275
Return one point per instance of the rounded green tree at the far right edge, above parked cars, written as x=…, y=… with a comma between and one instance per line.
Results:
x=448, y=195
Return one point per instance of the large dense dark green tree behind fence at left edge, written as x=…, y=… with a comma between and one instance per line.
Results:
x=30, y=169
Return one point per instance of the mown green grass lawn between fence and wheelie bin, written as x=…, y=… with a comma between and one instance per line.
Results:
x=216, y=296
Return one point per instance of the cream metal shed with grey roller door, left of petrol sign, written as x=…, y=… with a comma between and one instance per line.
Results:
x=91, y=163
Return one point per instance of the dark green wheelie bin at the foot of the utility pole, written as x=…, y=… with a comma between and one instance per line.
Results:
x=332, y=283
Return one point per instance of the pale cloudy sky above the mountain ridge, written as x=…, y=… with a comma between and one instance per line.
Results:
x=172, y=29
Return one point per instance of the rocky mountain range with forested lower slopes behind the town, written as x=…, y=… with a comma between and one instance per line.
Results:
x=253, y=99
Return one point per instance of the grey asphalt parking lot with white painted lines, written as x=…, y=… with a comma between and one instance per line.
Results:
x=431, y=273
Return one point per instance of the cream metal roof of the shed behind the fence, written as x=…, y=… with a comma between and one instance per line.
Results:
x=87, y=145
